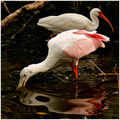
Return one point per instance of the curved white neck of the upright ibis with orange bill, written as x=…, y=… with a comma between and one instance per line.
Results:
x=95, y=22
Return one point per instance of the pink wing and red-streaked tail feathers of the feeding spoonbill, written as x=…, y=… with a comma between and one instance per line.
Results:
x=85, y=45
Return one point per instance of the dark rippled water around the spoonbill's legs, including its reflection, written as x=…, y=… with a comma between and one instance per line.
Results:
x=56, y=93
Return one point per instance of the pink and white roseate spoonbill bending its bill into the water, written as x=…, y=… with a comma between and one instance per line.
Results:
x=69, y=45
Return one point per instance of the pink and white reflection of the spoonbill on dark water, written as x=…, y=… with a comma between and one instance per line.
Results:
x=64, y=105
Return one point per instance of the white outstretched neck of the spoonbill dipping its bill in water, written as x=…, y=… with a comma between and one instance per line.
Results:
x=43, y=66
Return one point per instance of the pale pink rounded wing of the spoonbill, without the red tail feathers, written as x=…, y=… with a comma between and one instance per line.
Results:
x=80, y=48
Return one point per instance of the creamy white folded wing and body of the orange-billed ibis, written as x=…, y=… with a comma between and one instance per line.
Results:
x=64, y=22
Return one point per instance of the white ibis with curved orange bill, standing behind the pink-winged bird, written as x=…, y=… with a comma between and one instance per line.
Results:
x=68, y=21
